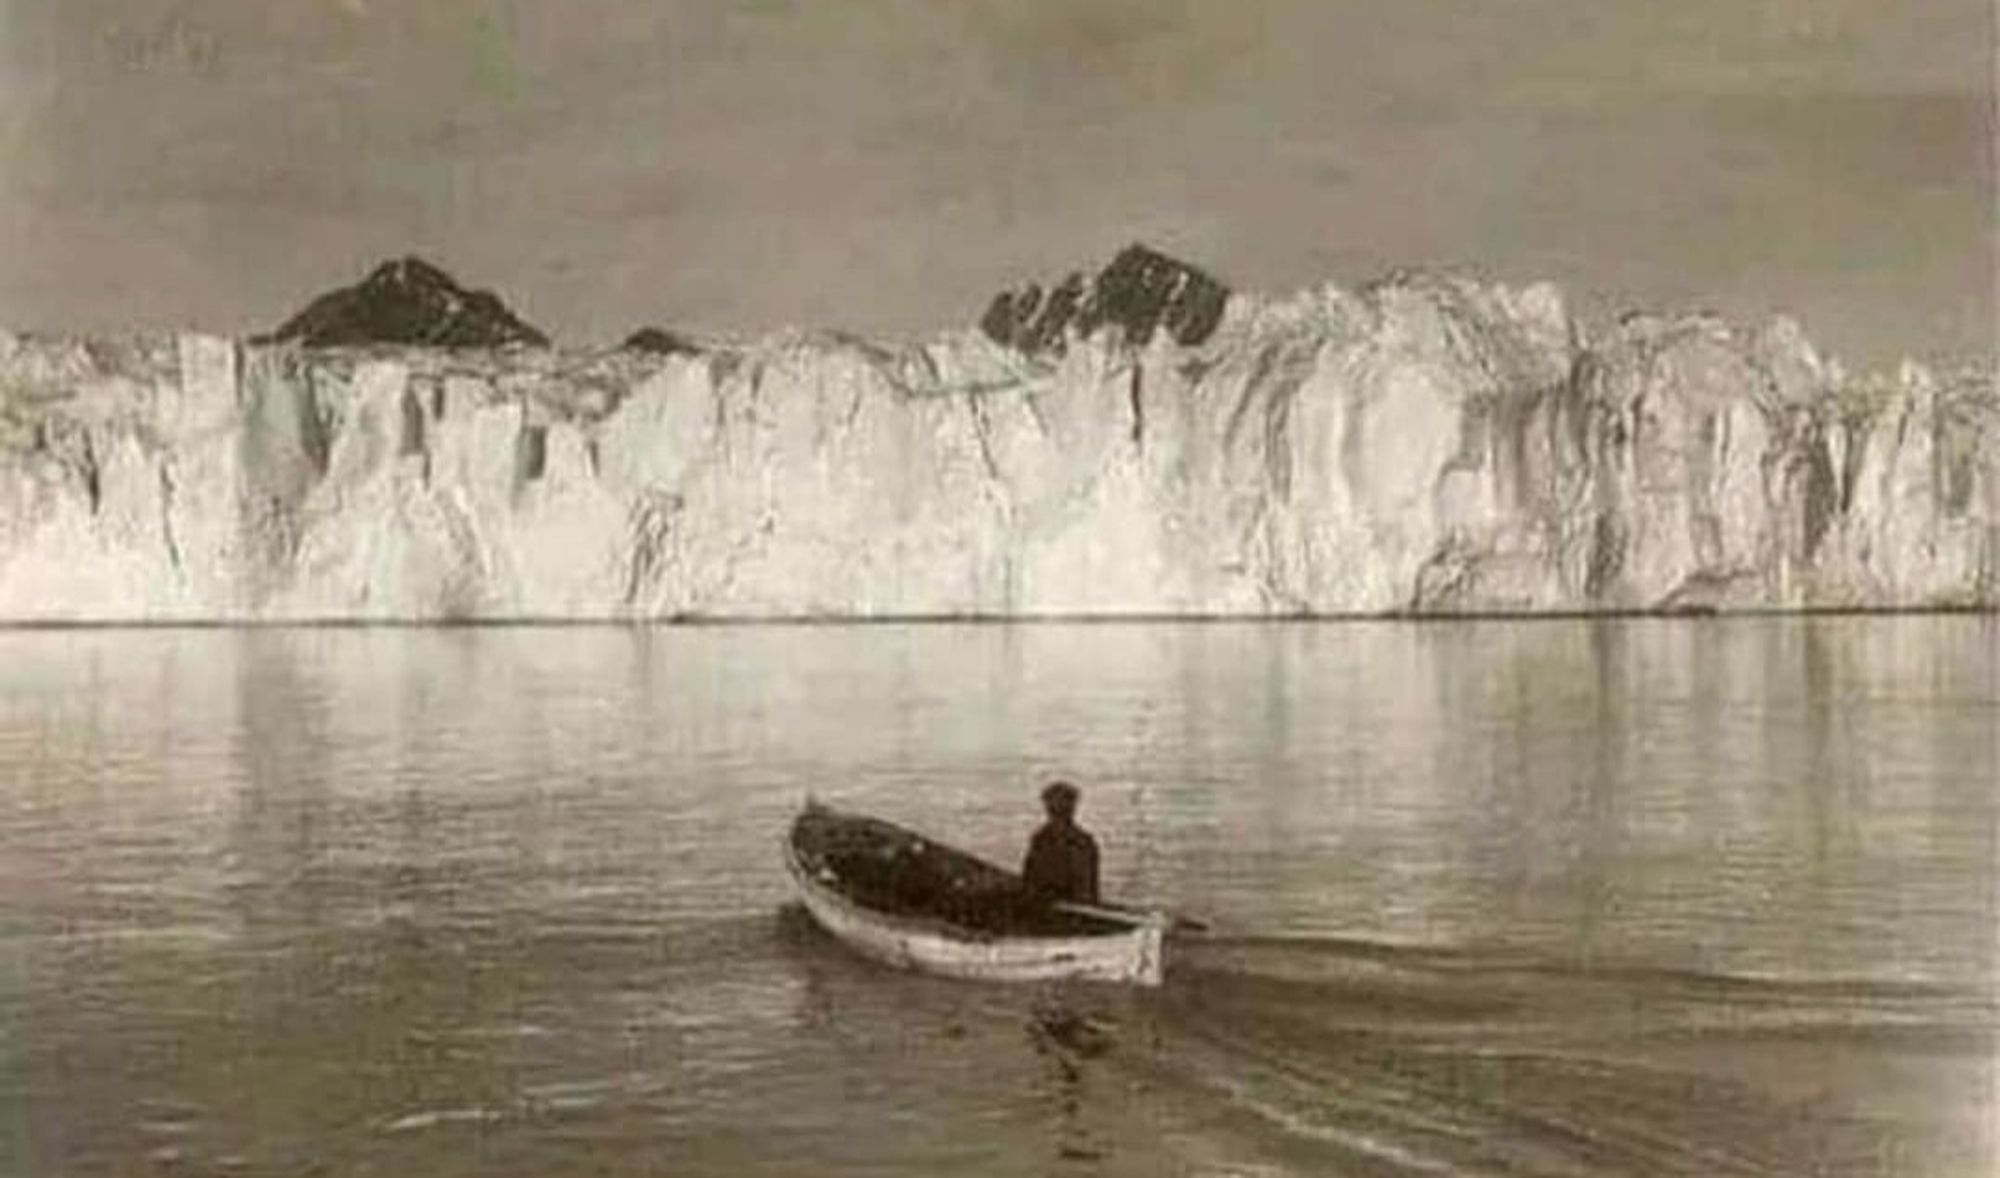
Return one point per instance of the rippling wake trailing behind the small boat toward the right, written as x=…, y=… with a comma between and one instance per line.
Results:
x=1401, y=1059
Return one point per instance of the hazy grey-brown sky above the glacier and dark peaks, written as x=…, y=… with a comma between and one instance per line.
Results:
x=887, y=165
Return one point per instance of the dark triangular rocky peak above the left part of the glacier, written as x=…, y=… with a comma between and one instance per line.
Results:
x=407, y=301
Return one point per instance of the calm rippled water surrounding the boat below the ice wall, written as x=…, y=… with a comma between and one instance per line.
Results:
x=1655, y=897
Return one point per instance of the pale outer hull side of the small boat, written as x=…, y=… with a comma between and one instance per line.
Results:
x=935, y=947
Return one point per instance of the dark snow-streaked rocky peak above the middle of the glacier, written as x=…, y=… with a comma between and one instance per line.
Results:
x=1141, y=293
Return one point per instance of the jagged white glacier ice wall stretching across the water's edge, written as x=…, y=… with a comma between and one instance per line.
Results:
x=1159, y=447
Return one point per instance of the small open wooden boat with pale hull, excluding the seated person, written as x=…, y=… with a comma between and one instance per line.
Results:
x=913, y=903
